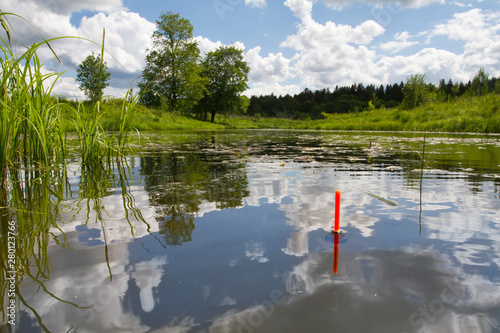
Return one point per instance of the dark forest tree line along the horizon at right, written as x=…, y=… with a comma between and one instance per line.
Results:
x=358, y=97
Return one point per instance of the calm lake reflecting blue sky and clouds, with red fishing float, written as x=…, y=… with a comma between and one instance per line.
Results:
x=230, y=231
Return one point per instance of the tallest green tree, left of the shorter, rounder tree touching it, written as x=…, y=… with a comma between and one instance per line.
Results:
x=171, y=77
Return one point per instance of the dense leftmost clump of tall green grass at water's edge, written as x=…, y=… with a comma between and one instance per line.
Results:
x=29, y=115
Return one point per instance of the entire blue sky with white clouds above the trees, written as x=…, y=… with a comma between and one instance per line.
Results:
x=289, y=45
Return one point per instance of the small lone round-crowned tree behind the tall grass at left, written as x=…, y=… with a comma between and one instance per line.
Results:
x=93, y=76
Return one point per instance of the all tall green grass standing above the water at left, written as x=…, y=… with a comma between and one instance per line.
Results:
x=32, y=131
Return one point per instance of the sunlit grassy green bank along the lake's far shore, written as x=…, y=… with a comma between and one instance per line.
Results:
x=467, y=114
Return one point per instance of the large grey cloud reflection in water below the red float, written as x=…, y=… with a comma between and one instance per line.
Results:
x=407, y=290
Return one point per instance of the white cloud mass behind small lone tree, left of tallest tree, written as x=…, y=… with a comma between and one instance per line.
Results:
x=127, y=37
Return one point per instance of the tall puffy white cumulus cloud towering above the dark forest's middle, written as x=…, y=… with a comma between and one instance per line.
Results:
x=330, y=53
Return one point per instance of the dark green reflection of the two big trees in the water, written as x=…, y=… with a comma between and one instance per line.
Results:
x=178, y=184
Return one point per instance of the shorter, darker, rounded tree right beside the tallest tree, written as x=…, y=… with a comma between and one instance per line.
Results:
x=227, y=75
